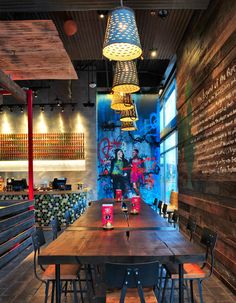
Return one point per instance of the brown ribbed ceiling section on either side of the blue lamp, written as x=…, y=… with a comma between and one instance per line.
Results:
x=162, y=34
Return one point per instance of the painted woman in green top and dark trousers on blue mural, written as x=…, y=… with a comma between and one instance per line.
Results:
x=119, y=172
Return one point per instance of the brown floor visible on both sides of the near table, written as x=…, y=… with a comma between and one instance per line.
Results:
x=19, y=285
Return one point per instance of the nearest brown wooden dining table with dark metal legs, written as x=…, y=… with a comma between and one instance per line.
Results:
x=85, y=242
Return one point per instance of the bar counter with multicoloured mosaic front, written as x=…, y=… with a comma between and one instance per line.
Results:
x=53, y=203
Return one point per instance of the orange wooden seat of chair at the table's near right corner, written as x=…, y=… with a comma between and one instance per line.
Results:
x=191, y=271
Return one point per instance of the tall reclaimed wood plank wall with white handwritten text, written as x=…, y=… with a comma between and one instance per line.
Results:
x=206, y=84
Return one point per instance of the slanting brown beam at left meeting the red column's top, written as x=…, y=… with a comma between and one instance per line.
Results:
x=15, y=90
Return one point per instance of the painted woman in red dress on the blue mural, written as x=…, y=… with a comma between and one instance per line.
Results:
x=136, y=171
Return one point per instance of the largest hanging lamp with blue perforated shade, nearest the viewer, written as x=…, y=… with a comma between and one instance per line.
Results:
x=122, y=41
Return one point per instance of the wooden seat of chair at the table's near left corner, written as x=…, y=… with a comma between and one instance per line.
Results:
x=67, y=272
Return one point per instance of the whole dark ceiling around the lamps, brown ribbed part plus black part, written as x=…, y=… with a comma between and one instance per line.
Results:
x=85, y=47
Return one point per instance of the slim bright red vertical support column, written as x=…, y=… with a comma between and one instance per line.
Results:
x=30, y=144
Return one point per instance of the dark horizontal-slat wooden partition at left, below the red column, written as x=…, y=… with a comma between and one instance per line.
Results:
x=17, y=223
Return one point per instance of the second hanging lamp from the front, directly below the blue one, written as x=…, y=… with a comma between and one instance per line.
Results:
x=125, y=77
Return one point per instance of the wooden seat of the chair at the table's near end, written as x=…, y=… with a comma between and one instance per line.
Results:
x=131, y=296
